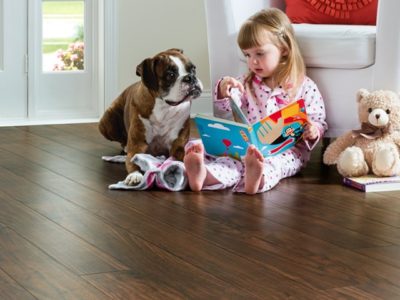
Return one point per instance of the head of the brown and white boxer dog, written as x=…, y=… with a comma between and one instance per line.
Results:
x=171, y=76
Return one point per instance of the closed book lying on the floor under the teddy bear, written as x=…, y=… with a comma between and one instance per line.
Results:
x=372, y=183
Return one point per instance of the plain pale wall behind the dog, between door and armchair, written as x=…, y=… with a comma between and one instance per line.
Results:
x=146, y=27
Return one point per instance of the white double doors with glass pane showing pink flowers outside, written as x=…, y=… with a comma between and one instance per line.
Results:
x=49, y=60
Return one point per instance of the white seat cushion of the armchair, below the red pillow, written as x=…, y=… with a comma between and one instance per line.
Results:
x=337, y=46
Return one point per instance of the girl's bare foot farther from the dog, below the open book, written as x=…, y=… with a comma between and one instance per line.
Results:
x=253, y=163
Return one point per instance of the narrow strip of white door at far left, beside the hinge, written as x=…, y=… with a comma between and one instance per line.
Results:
x=13, y=67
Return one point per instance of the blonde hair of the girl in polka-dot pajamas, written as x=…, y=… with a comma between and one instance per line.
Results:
x=272, y=25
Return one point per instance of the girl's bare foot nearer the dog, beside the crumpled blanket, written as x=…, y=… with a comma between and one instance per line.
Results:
x=195, y=167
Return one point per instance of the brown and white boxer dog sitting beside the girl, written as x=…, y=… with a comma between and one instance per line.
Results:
x=152, y=115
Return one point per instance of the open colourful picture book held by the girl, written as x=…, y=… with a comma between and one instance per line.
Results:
x=271, y=135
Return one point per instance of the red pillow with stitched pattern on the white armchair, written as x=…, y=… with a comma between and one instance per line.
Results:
x=356, y=12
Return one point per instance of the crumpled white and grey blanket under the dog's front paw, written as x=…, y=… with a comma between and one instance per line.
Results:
x=168, y=173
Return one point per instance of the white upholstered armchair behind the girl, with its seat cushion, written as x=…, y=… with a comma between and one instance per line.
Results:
x=340, y=58
